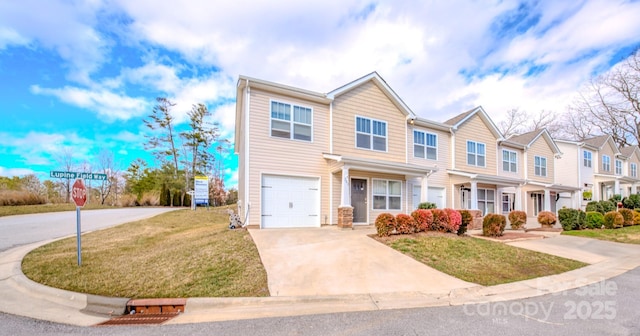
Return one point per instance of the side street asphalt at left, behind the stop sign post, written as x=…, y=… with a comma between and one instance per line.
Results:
x=25, y=229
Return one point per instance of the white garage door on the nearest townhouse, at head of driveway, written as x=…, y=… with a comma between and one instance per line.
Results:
x=290, y=201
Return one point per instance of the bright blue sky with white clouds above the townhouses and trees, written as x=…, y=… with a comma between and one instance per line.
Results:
x=79, y=76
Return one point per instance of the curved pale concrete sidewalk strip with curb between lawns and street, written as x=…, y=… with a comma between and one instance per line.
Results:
x=21, y=296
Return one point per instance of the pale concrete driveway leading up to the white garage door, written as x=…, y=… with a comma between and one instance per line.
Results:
x=331, y=261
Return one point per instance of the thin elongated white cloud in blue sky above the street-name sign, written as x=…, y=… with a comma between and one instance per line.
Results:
x=110, y=105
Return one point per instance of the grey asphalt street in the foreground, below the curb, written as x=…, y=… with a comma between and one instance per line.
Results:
x=611, y=307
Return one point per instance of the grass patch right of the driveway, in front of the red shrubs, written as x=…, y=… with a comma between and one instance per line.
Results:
x=480, y=261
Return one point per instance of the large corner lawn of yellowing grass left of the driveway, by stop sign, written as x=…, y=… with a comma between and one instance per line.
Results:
x=178, y=254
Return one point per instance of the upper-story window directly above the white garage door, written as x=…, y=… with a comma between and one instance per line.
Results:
x=290, y=121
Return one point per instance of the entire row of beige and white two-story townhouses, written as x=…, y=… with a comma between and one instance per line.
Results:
x=308, y=159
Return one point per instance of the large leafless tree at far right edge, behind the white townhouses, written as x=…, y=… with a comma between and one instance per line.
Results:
x=610, y=103
